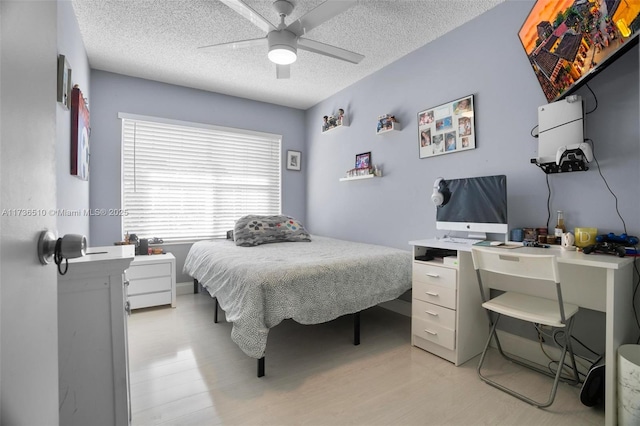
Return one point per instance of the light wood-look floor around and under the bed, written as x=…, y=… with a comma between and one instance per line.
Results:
x=185, y=370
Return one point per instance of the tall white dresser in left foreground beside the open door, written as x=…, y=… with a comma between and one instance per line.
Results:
x=92, y=339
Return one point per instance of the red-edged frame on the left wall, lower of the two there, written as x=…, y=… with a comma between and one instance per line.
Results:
x=80, y=132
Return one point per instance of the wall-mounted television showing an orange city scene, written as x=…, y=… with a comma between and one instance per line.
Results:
x=570, y=41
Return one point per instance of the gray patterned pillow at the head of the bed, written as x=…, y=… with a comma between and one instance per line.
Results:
x=253, y=230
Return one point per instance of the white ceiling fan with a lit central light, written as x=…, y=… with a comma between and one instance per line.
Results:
x=284, y=40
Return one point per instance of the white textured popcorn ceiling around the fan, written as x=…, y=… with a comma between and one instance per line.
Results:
x=158, y=40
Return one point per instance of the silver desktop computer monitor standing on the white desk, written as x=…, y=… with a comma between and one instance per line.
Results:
x=476, y=205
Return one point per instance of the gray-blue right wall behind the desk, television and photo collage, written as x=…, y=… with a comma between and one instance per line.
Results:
x=484, y=58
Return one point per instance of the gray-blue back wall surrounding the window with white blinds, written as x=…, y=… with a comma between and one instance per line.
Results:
x=114, y=93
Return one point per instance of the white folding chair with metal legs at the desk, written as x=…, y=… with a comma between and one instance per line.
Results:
x=539, y=271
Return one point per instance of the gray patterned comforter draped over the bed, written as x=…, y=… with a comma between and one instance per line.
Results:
x=310, y=282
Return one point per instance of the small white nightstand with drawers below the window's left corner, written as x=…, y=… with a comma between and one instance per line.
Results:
x=152, y=281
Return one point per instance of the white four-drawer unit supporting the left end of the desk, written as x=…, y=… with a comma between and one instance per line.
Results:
x=447, y=318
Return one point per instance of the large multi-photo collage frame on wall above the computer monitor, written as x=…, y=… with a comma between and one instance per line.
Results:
x=447, y=128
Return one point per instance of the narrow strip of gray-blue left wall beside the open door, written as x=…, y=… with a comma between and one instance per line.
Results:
x=72, y=193
